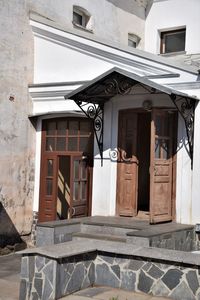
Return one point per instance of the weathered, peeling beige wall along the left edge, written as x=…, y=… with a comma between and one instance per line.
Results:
x=16, y=130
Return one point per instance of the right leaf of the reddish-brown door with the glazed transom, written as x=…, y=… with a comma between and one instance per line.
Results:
x=79, y=187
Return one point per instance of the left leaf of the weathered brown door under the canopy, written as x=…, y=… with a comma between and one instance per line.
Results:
x=127, y=167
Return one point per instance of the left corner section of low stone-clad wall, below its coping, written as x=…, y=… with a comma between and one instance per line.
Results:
x=44, y=278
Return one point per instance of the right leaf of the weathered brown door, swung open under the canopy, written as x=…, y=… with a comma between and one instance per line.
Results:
x=161, y=163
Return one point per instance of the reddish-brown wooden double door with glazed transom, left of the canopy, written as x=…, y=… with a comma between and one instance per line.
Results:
x=66, y=169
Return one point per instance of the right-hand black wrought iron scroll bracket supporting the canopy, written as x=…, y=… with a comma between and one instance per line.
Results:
x=186, y=108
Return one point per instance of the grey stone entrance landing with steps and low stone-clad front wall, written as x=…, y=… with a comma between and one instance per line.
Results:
x=90, y=256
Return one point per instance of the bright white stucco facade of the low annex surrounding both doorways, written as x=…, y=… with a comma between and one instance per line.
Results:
x=61, y=61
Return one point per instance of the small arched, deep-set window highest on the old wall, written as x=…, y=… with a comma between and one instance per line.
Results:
x=81, y=18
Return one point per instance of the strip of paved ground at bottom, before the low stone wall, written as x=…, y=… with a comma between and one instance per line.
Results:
x=106, y=293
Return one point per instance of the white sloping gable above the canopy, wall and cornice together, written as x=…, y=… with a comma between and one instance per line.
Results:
x=60, y=57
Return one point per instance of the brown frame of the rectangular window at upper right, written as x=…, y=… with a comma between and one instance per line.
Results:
x=163, y=35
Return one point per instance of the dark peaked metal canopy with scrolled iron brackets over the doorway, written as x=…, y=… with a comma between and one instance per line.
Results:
x=92, y=96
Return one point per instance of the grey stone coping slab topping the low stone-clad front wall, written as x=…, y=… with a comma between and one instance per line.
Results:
x=74, y=248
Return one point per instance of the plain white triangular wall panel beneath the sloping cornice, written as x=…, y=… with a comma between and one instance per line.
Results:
x=56, y=63
